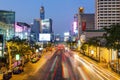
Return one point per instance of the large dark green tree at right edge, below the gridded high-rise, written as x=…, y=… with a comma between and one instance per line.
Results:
x=112, y=37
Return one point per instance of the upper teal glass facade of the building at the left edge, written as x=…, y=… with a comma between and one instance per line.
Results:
x=7, y=19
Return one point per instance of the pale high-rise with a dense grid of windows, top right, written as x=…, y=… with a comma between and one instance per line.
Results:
x=107, y=13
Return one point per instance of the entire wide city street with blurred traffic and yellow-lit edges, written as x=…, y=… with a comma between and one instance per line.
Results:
x=66, y=66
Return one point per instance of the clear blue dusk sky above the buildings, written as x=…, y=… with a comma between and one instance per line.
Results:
x=61, y=12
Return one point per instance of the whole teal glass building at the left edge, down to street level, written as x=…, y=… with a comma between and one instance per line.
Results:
x=7, y=21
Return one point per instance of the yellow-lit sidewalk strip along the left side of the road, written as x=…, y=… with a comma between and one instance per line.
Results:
x=30, y=68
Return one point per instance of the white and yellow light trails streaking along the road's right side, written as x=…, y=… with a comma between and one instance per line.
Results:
x=97, y=71
